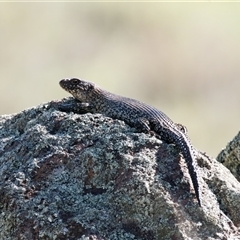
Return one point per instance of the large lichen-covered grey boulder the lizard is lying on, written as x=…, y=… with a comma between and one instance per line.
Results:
x=69, y=176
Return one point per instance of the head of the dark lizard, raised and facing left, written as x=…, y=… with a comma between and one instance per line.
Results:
x=80, y=89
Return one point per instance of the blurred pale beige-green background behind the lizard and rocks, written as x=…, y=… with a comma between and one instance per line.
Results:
x=183, y=58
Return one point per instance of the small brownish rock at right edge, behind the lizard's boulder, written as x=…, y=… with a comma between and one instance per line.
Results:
x=230, y=156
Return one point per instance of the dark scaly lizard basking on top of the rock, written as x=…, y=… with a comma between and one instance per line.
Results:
x=93, y=99
